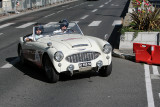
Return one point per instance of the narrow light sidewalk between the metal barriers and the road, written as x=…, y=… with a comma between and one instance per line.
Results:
x=10, y=16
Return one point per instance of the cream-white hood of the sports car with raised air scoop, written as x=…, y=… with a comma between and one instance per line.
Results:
x=69, y=41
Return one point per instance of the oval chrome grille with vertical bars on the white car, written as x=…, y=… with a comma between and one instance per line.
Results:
x=82, y=57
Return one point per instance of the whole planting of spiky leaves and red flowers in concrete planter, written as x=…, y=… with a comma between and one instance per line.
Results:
x=145, y=19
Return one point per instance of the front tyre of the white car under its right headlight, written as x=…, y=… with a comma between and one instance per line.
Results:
x=106, y=70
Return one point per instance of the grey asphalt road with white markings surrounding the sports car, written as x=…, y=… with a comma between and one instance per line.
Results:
x=130, y=84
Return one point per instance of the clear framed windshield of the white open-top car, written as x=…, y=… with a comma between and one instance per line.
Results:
x=53, y=29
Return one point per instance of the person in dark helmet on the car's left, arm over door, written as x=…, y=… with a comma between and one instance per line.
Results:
x=38, y=34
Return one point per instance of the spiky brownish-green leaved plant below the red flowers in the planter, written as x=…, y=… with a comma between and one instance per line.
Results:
x=146, y=21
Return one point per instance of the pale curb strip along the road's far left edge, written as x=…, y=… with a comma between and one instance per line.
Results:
x=35, y=10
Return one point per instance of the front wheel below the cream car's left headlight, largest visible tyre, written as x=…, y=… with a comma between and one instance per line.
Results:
x=50, y=71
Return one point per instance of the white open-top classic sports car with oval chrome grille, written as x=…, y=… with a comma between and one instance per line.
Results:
x=70, y=51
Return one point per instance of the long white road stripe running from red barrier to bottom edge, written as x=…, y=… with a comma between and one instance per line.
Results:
x=150, y=98
